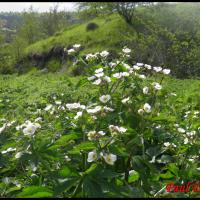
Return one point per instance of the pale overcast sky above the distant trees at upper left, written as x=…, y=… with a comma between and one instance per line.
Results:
x=38, y=6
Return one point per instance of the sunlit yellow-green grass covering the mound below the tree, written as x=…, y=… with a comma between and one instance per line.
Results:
x=110, y=34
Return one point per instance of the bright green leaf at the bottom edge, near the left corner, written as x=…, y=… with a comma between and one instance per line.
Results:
x=35, y=192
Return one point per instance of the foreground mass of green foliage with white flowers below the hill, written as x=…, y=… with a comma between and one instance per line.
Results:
x=120, y=131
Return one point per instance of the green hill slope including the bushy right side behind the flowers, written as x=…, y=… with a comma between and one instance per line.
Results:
x=155, y=38
